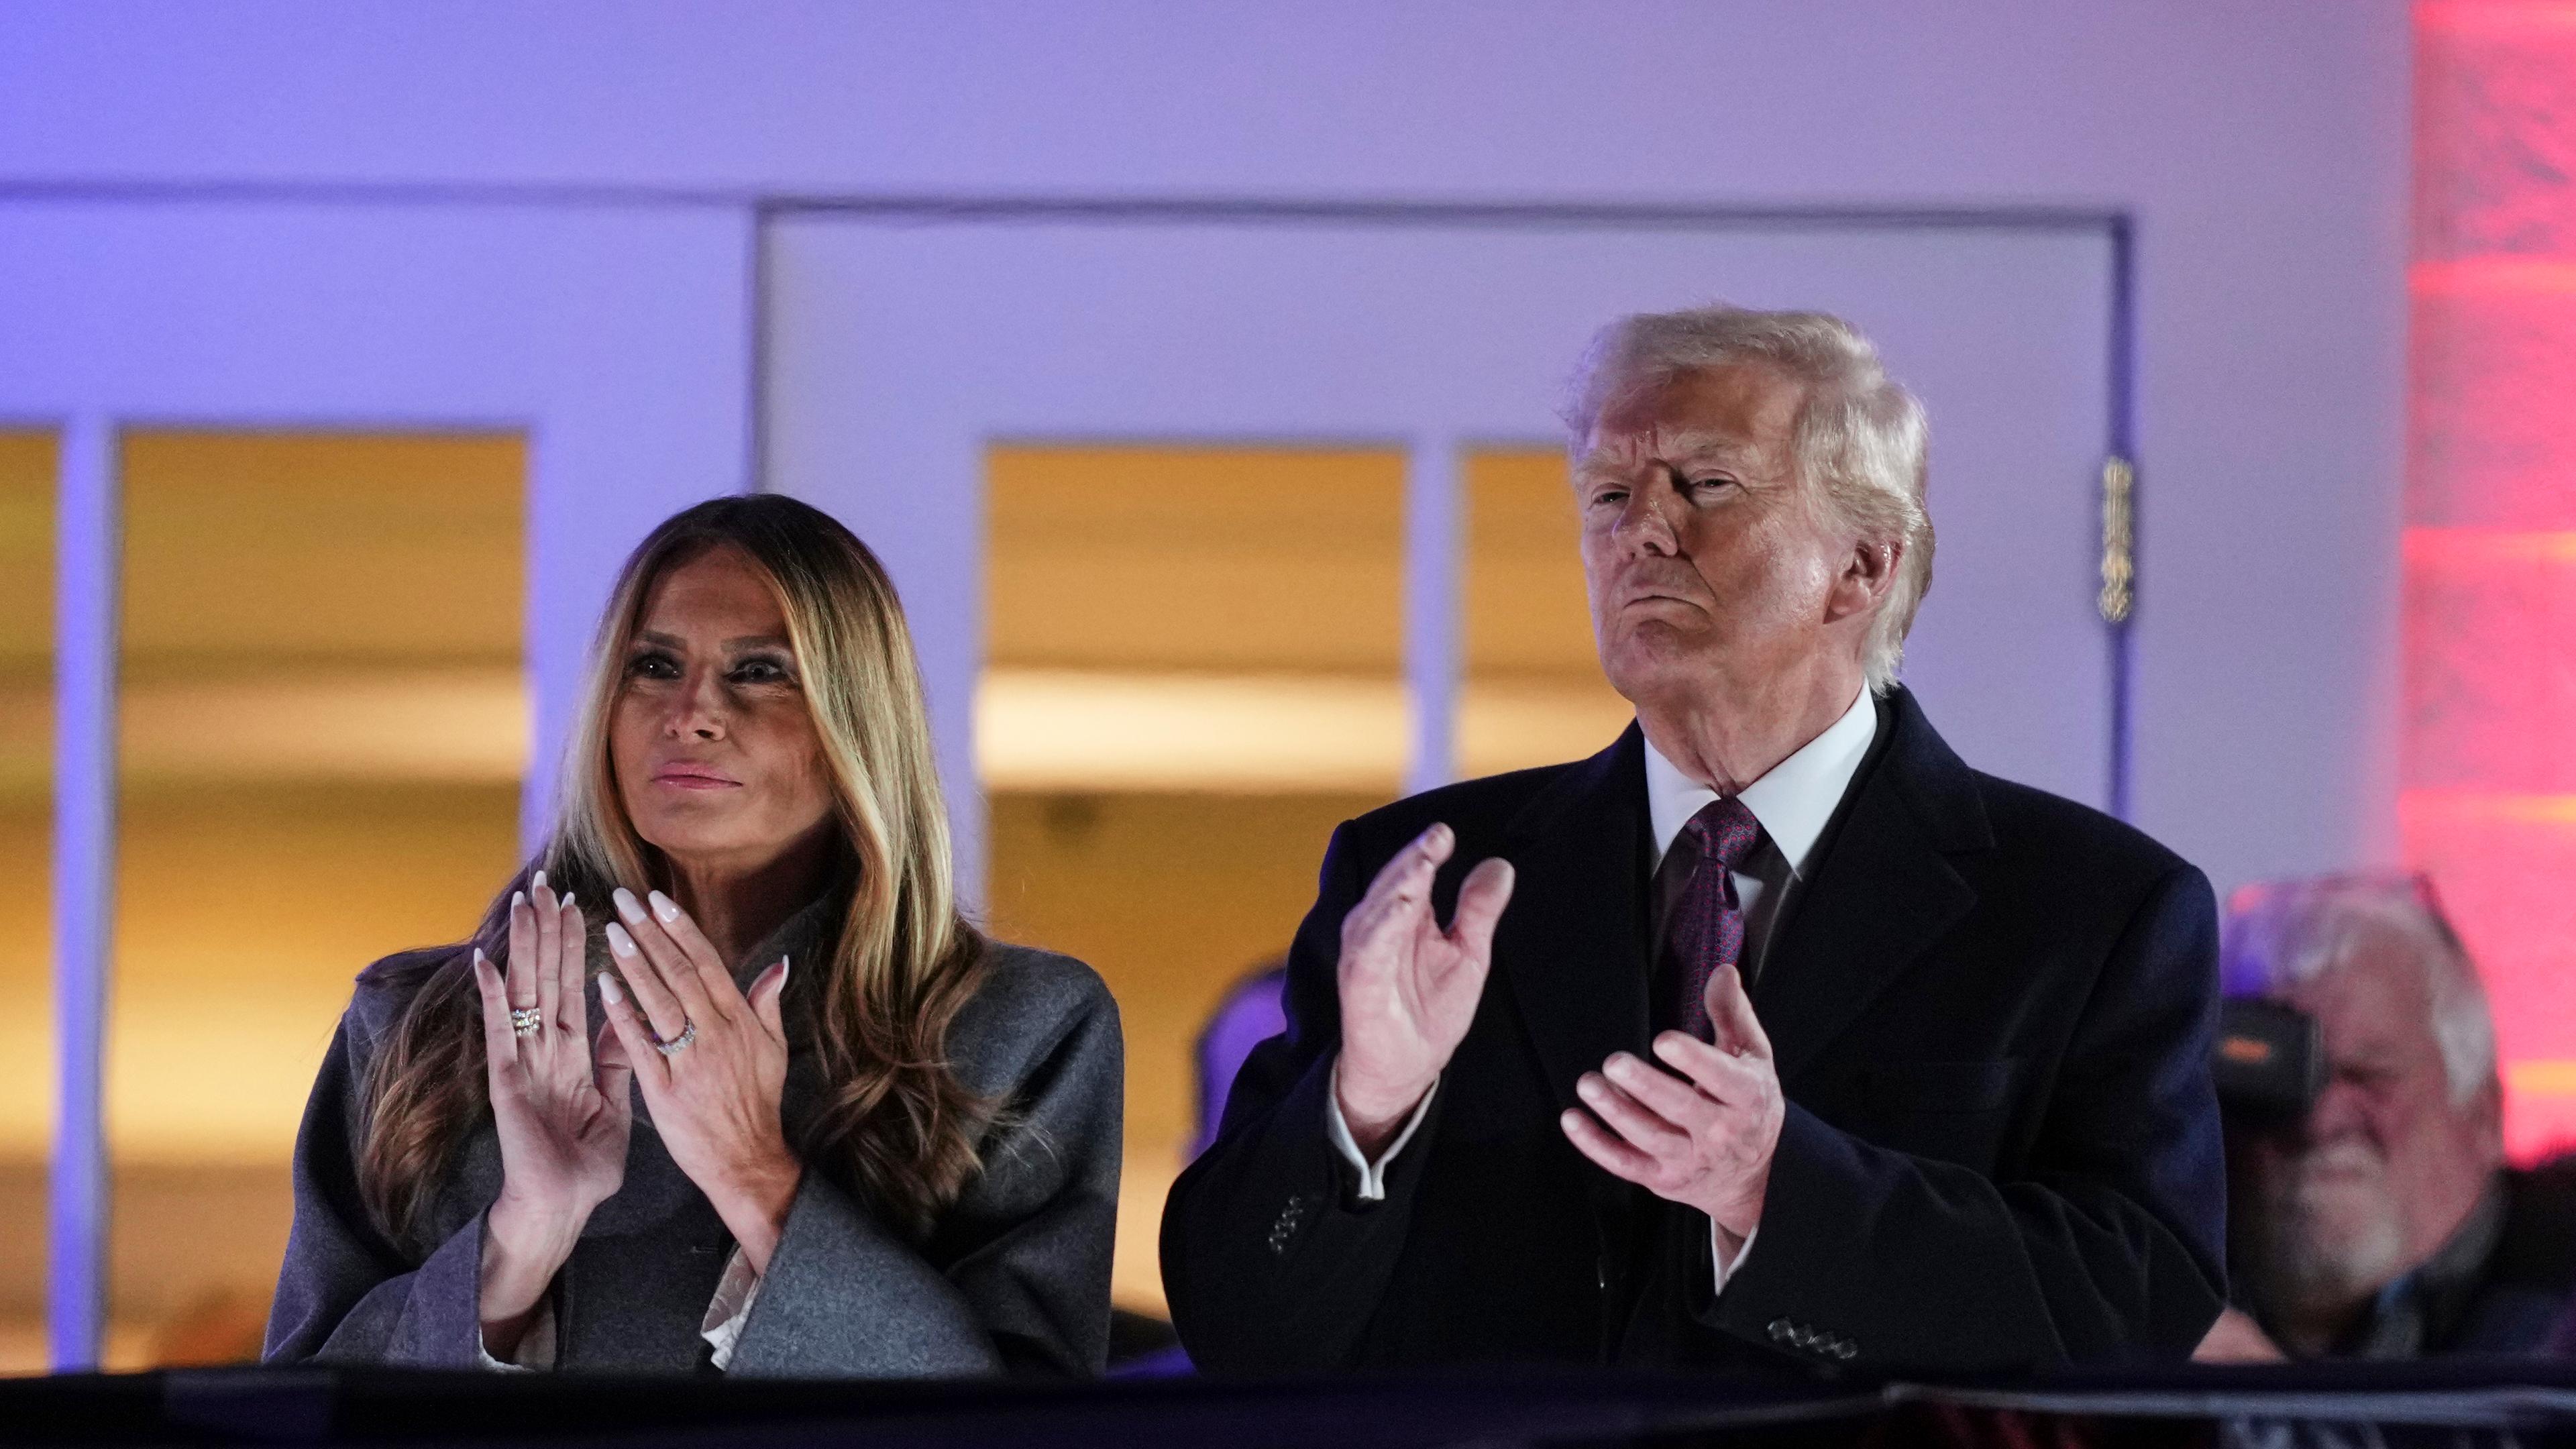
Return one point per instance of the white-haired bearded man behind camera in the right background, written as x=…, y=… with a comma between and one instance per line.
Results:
x=2384, y=1223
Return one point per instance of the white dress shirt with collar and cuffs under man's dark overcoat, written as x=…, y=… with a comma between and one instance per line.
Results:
x=1794, y=803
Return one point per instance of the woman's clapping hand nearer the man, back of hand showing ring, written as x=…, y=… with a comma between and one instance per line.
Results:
x=712, y=1064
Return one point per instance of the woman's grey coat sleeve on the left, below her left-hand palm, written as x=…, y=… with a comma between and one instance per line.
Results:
x=346, y=1293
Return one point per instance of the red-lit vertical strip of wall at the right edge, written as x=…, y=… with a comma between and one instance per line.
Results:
x=2490, y=731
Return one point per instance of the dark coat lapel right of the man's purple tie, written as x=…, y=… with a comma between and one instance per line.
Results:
x=1879, y=891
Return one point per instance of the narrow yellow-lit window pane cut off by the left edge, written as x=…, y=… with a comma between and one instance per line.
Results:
x=27, y=940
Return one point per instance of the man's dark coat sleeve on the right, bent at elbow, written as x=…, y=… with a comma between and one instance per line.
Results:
x=2106, y=1249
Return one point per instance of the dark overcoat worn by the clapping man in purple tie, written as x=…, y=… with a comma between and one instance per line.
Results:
x=1993, y=1015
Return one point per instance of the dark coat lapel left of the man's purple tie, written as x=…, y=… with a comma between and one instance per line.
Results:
x=1573, y=945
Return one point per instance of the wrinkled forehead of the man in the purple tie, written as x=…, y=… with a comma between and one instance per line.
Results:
x=1738, y=414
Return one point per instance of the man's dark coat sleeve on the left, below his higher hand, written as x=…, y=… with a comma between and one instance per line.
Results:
x=1269, y=1257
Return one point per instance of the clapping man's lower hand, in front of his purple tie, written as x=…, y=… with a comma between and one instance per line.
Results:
x=1701, y=1133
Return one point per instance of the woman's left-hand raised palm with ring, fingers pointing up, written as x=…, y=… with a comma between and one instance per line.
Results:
x=563, y=1118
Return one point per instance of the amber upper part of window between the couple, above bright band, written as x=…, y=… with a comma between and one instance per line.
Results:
x=1253, y=561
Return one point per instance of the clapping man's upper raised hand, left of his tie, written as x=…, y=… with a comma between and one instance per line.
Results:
x=1408, y=986
